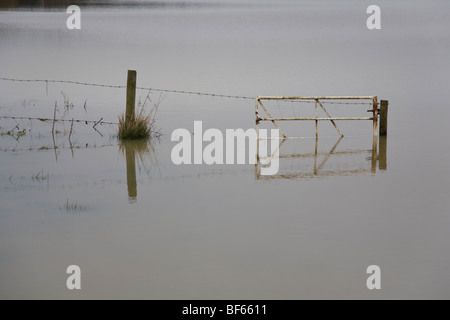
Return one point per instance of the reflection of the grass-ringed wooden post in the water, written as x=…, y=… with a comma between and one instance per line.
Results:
x=131, y=149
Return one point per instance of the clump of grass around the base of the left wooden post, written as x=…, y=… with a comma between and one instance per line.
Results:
x=142, y=126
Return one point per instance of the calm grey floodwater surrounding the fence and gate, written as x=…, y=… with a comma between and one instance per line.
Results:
x=141, y=227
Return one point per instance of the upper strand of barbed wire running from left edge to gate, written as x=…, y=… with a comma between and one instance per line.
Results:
x=216, y=95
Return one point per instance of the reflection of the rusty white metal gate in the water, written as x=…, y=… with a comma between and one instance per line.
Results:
x=339, y=163
